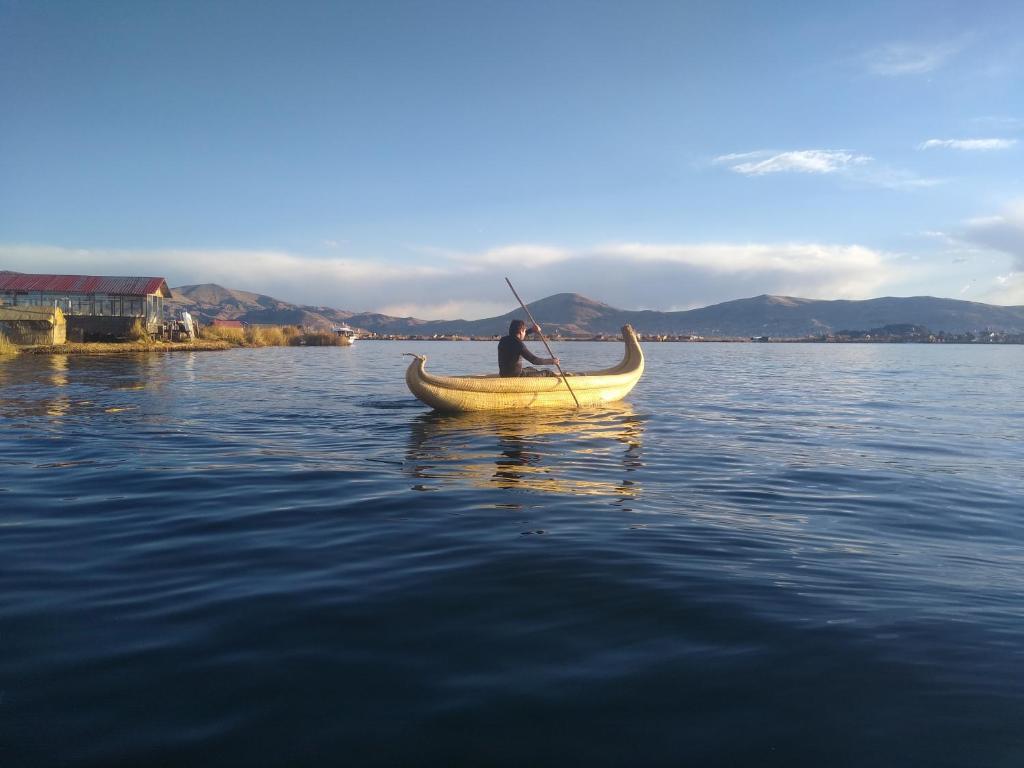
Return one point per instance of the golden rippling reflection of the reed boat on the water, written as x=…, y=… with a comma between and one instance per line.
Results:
x=590, y=453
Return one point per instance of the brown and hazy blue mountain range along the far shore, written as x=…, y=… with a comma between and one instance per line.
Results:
x=572, y=315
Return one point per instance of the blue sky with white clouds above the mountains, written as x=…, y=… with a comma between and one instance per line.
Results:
x=406, y=157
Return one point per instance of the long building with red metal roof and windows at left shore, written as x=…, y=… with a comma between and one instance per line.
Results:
x=96, y=308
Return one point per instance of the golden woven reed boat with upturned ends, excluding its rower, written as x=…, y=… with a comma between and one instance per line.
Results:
x=492, y=393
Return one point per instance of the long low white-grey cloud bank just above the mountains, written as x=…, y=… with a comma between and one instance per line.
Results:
x=472, y=285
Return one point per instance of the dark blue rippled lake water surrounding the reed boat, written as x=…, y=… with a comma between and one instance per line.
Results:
x=770, y=556
